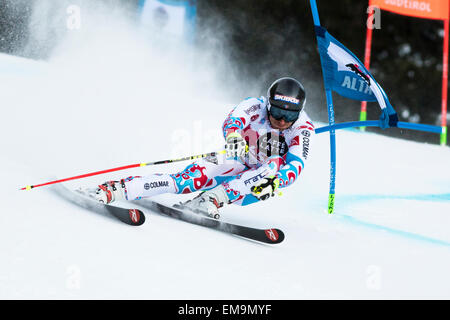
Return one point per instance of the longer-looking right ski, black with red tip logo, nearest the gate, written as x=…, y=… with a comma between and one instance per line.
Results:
x=270, y=236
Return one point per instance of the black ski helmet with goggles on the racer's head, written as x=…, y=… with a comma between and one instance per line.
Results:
x=286, y=99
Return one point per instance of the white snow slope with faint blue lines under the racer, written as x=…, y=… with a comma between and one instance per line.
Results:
x=389, y=237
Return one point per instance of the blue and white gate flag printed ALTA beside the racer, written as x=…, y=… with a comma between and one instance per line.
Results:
x=347, y=76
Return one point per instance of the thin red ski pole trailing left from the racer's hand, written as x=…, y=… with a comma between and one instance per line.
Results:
x=137, y=165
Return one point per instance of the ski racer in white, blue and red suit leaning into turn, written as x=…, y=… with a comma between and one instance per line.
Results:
x=267, y=143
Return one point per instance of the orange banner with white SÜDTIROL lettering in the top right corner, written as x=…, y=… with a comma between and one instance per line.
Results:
x=427, y=9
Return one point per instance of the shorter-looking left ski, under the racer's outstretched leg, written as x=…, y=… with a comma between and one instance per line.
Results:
x=132, y=217
